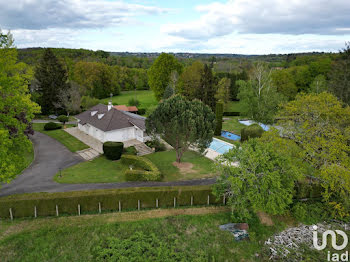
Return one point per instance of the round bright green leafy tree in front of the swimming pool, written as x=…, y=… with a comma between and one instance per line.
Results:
x=264, y=180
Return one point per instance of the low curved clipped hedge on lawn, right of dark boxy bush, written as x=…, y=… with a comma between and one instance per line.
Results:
x=143, y=169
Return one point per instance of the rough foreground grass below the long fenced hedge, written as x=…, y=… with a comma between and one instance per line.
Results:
x=74, y=238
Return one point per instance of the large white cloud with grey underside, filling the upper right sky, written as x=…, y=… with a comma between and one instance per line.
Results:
x=265, y=16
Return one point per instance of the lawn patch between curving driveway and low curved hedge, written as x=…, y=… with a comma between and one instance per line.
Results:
x=99, y=170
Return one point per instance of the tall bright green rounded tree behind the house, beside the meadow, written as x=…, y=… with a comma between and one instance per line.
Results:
x=159, y=74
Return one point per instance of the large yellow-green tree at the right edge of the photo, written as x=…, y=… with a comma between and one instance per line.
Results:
x=319, y=124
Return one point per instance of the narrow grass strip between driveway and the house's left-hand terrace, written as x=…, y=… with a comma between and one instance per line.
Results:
x=63, y=137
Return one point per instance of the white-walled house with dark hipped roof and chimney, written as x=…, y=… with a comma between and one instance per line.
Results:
x=106, y=123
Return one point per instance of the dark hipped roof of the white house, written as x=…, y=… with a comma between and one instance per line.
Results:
x=111, y=120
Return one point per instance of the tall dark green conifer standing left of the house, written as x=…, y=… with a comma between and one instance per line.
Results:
x=52, y=80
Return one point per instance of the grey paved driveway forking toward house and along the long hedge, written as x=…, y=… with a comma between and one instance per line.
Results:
x=50, y=155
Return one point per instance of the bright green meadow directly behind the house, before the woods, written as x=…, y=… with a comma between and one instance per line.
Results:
x=146, y=98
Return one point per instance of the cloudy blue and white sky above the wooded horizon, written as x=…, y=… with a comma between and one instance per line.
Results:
x=234, y=26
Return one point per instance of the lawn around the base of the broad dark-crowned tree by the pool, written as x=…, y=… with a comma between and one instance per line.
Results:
x=202, y=166
